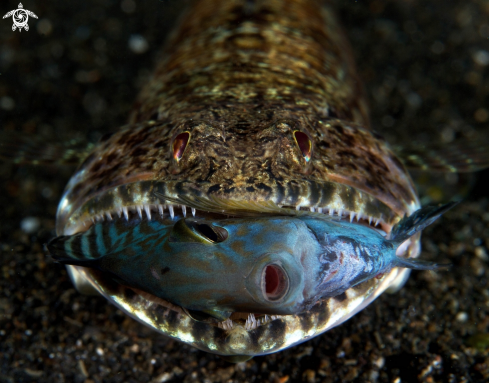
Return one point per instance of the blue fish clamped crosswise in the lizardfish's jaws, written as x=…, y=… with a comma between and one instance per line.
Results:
x=213, y=268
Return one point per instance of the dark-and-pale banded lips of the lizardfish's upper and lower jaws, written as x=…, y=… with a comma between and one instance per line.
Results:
x=239, y=334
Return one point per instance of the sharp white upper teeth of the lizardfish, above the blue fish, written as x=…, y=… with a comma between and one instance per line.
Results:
x=149, y=209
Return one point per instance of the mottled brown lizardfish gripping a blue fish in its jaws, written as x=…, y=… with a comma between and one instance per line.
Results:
x=254, y=109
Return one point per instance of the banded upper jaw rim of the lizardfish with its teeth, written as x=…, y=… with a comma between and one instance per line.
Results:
x=152, y=198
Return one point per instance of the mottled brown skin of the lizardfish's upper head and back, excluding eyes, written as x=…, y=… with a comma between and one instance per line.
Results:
x=241, y=76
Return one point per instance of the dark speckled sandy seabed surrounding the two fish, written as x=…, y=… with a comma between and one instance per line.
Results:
x=425, y=66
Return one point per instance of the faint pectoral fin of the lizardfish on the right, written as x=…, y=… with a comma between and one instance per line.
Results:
x=460, y=156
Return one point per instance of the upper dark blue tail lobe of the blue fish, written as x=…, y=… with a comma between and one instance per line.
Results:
x=420, y=219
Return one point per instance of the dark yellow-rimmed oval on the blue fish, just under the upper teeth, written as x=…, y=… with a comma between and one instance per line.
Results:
x=189, y=230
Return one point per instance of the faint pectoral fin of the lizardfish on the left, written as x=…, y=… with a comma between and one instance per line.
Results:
x=19, y=148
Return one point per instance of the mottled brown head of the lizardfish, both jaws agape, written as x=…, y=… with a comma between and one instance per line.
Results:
x=280, y=167
